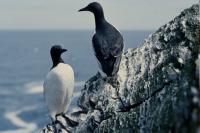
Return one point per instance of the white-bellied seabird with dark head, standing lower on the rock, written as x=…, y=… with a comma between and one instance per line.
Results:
x=59, y=85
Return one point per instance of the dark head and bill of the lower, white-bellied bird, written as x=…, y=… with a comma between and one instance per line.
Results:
x=56, y=51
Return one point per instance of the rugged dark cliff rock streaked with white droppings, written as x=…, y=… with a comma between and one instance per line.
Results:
x=156, y=89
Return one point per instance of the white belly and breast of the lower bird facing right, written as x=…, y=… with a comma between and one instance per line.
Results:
x=58, y=88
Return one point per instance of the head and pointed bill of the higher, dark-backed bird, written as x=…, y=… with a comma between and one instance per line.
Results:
x=93, y=7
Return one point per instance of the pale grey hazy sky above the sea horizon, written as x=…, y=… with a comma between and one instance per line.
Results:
x=63, y=14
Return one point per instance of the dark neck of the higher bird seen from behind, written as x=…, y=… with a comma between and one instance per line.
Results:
x=99, y=19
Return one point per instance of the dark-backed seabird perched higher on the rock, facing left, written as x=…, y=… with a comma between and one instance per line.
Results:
x=107, y=41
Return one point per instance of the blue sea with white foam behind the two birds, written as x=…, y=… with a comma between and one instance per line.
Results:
x=24, y=63
